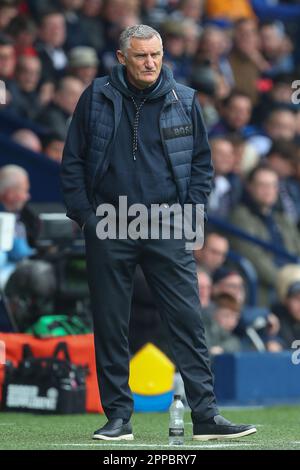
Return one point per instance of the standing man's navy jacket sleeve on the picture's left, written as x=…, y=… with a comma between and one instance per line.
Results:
x=72, y=174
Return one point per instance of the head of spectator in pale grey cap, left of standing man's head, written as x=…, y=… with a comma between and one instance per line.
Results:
x=83, y=63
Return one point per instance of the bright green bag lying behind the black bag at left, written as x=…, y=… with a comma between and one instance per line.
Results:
x=50, y=326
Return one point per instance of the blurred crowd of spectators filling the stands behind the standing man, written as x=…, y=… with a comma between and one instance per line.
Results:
x=242, y=57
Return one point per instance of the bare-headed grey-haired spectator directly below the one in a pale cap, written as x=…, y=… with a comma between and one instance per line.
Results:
x=56, y=116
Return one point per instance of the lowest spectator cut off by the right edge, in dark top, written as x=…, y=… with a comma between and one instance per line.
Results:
x=288, y=307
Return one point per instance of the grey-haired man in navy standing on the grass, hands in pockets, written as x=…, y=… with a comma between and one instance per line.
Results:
x=139, y=134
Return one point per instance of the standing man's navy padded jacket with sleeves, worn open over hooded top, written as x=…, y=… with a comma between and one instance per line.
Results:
x=94, y=127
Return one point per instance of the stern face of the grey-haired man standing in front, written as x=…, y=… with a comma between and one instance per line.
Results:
x=143, y=61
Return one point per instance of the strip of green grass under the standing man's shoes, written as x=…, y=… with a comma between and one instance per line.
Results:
x=278, y=428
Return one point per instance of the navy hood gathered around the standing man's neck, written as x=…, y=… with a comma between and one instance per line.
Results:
x=164, y=84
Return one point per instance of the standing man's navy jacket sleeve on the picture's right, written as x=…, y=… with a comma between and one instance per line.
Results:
x=202, y=168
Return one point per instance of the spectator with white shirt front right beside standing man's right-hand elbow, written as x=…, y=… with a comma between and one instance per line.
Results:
x=226, y=185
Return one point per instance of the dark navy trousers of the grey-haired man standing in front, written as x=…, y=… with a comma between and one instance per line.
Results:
x=170, y=271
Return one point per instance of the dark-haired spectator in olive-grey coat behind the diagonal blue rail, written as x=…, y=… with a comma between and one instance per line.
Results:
x=256, y=215
